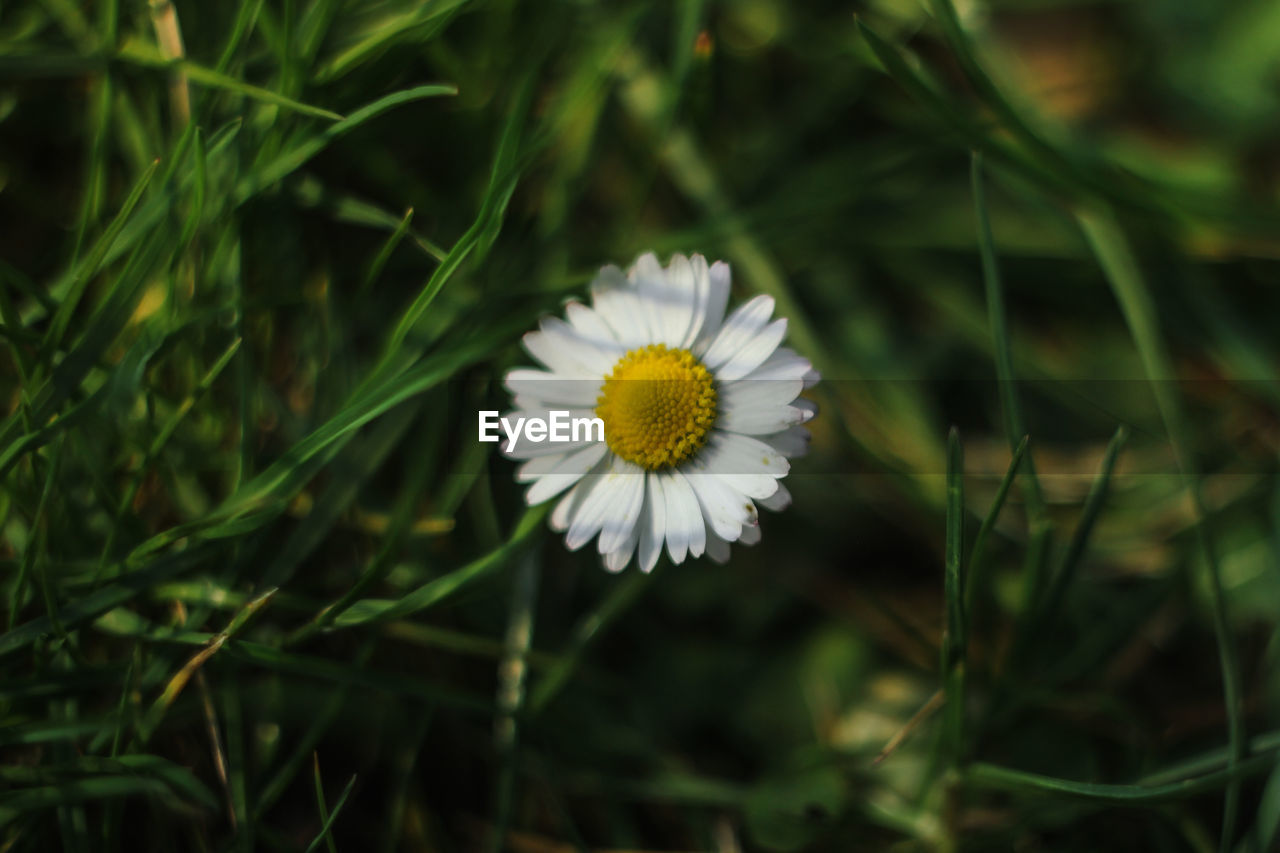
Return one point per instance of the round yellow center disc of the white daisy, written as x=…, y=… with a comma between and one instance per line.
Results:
x=659, y=407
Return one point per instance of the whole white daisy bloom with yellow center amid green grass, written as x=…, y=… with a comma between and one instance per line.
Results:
x=701, y=414
